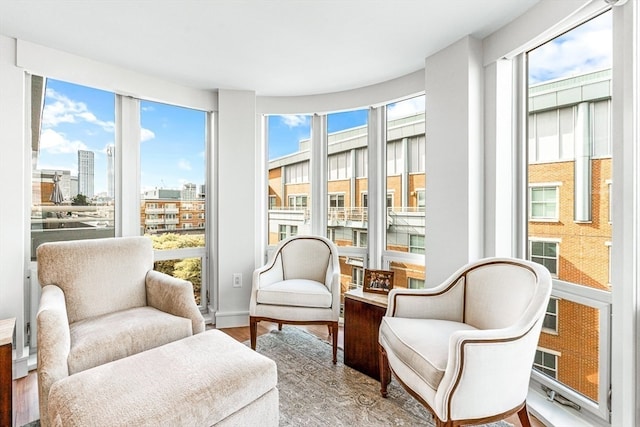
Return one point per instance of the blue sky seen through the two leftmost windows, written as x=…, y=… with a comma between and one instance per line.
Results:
x=81, y=118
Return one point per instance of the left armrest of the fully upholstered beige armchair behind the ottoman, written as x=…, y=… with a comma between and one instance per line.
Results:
x=54, y=344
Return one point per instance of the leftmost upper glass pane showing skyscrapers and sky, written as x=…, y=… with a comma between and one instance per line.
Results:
x=72, y=162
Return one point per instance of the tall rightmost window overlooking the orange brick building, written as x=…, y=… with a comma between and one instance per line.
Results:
x=569, y=172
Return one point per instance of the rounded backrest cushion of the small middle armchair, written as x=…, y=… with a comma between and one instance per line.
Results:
x=305, y=257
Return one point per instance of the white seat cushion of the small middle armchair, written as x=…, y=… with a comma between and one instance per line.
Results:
x=295, y=292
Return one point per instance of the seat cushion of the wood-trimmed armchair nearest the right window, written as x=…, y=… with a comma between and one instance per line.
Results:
x=422, y=344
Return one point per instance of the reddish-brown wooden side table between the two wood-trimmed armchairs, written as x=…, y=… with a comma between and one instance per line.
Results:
x=363, y=312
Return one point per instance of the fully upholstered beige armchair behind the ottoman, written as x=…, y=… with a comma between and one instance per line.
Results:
x=102, y=301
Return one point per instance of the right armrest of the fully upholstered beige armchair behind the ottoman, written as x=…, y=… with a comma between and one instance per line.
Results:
x=173, y=296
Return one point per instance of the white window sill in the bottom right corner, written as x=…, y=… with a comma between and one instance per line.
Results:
x=552, y=414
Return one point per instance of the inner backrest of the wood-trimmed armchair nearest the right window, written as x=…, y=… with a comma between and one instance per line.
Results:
x=498, y=294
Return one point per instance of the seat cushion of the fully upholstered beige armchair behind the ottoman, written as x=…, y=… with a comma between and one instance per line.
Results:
x=102, y=339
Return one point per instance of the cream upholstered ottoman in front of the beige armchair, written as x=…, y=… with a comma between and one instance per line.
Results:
x=203, y=380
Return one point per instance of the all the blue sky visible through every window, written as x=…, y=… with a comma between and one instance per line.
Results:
x=173, y=138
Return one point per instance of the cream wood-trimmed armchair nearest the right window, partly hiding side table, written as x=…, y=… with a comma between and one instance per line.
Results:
x=465, y=348
